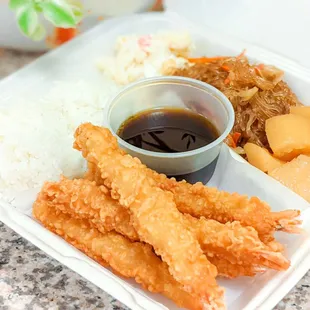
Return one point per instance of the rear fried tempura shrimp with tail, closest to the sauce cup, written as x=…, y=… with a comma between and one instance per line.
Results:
x=199, y=200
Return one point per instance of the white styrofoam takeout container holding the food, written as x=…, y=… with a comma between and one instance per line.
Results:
x=76, y=60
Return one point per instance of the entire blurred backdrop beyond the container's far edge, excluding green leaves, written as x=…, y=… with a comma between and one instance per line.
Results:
x=277, y=25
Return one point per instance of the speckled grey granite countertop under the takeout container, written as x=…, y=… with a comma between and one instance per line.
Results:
x=29, y=279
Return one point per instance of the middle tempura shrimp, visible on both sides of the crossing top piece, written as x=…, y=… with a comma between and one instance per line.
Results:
x=231, y=241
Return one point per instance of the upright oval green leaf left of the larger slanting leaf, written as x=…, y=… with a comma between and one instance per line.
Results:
x=27, y=19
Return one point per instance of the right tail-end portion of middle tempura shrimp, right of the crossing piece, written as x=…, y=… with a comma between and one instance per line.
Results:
x=235, y=243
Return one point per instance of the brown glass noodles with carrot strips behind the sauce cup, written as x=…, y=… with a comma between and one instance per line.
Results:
x=257, y=93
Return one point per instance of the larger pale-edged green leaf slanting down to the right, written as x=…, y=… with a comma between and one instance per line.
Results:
x=59, y=13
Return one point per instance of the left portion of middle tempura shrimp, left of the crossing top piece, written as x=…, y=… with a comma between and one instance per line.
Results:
x=85, y=200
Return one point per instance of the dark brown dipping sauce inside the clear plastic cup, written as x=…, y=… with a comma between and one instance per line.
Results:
x=171, y=130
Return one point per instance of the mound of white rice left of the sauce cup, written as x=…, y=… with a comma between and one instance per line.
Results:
x=36, y=137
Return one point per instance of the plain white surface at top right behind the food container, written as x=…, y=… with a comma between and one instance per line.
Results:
x=278, y=25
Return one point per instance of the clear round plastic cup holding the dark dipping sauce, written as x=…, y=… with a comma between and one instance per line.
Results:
x=174, y=92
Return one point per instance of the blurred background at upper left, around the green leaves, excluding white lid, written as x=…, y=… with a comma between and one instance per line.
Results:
x=16, y=50
